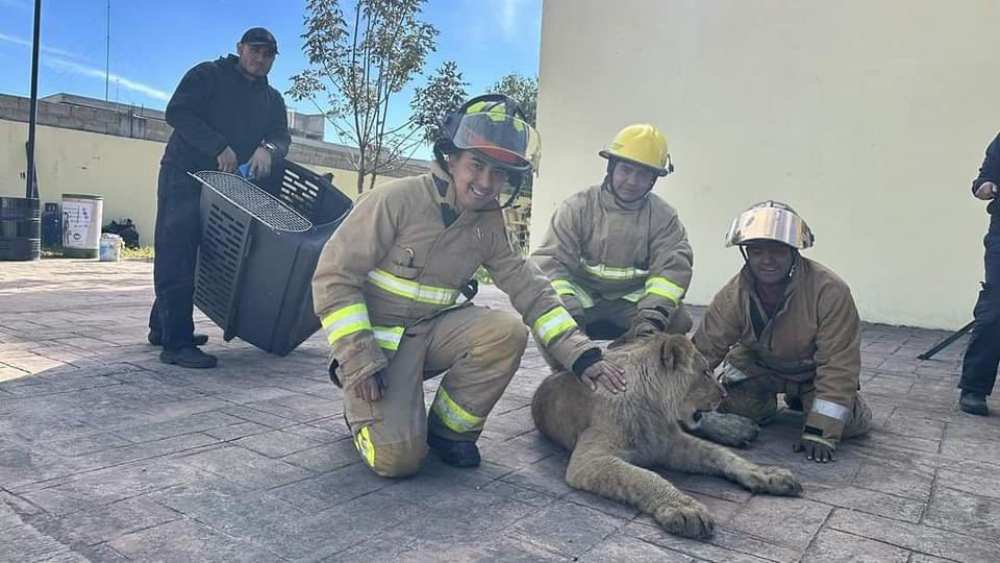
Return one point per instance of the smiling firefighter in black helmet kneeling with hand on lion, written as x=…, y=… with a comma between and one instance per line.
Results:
x=387, y=289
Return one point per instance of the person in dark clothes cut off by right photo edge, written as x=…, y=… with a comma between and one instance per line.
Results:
x=979, y=367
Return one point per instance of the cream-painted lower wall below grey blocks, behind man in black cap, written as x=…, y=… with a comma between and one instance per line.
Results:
x=121, y=169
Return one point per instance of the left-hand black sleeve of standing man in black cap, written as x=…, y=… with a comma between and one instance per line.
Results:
x=184, y=110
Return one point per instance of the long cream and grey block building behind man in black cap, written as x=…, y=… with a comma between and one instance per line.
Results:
x=91, y=146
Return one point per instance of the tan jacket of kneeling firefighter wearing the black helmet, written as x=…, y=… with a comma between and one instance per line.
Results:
x=394, y=263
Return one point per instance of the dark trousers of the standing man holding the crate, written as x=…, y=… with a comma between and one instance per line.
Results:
x=178, y=234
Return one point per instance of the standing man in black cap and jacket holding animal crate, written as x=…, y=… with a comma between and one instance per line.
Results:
x=224, y=114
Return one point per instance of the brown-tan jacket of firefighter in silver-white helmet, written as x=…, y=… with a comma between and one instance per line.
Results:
x=815, y=336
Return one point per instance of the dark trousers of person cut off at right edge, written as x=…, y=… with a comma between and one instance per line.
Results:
x=979, y=367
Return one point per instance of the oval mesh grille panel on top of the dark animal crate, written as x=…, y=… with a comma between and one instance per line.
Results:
x=256, y=202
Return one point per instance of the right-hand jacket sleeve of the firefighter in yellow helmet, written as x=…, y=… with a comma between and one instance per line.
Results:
x=671, y=259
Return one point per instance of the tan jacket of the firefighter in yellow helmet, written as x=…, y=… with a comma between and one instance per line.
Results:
x=599, y=248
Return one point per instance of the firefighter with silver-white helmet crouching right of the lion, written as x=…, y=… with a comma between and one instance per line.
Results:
x=785, y=324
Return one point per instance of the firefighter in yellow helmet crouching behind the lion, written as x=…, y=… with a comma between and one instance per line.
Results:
x=616, y=253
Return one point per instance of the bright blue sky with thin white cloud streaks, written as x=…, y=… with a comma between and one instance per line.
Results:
x=153, y=42
